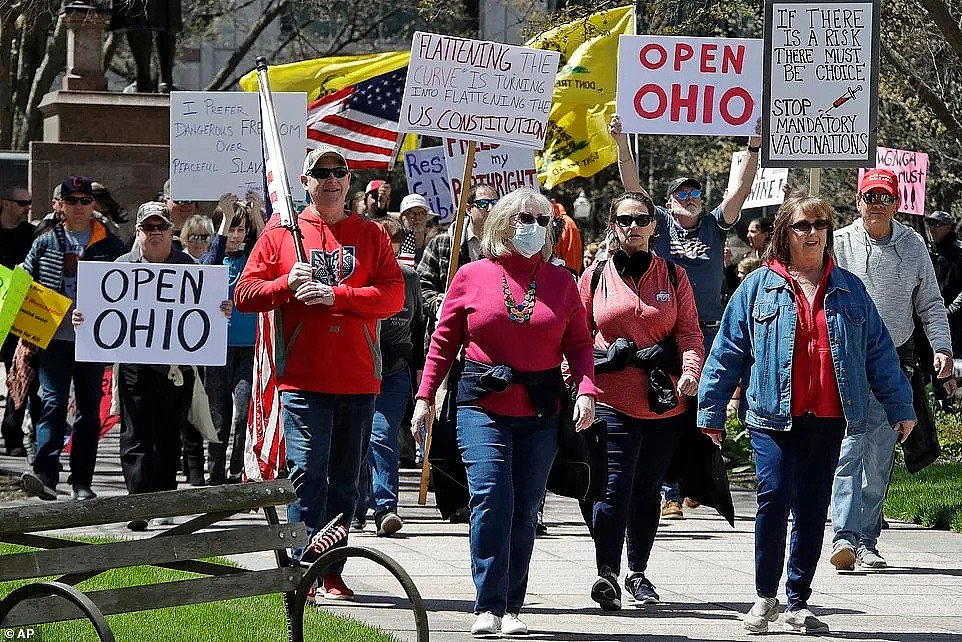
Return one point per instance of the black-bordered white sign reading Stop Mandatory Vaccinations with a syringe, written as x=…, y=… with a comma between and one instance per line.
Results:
x=820, y=83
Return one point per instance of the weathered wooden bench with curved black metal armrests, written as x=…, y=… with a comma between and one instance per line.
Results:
x=181, y=548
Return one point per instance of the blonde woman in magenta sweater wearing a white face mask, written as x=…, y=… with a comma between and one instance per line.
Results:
x=515, y=316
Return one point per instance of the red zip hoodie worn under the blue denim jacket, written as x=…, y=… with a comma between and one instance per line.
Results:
x=814, y=386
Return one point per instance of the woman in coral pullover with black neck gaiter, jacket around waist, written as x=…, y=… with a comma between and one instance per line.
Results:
x=649, y=354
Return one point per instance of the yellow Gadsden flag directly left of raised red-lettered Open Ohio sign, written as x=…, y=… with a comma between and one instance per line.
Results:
x=578, y=143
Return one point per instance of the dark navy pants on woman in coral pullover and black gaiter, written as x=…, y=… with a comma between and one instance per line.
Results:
x=639, y=451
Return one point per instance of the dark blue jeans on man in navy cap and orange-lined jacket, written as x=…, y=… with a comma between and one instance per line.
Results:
x=55, y=369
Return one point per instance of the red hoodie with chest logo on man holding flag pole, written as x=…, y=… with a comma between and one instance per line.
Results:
x=328, y=349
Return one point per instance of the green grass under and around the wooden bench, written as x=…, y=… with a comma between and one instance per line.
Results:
x=253, y=619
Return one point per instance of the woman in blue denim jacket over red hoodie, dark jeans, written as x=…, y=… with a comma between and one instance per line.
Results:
x=806, y=342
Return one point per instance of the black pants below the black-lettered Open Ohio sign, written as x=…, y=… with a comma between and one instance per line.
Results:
x=153, y=414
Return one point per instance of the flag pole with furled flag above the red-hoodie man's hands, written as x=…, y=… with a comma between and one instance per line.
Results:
x=270, y=134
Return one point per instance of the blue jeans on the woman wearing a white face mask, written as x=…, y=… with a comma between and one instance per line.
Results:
x=507, y=460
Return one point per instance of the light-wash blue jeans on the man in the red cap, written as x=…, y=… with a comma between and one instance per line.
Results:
x=862, y=480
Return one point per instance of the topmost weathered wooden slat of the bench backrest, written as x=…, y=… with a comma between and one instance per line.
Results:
x=231, y=498
